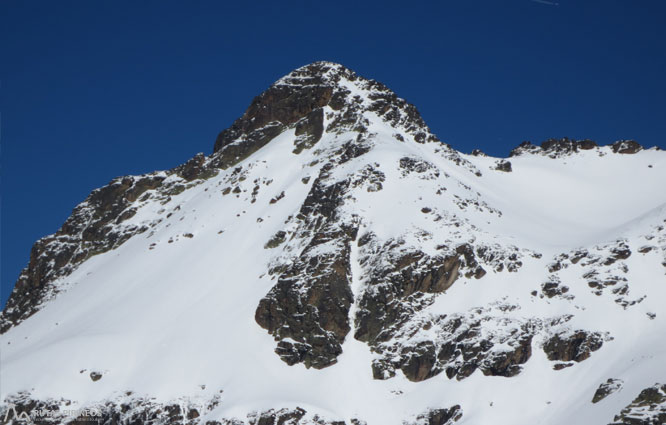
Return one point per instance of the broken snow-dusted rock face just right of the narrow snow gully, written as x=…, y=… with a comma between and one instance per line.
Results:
x=401, y=283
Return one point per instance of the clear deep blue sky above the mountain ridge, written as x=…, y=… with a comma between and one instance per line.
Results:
x=91, y=90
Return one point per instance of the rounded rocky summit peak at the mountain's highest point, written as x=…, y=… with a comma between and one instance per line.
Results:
x=302, y=95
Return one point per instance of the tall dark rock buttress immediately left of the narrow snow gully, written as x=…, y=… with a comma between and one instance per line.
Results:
x=307, y=310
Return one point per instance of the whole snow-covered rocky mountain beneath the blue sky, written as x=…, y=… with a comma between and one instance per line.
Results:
x=333, y=262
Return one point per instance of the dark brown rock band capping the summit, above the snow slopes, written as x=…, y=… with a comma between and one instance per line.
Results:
x=297, y=100
